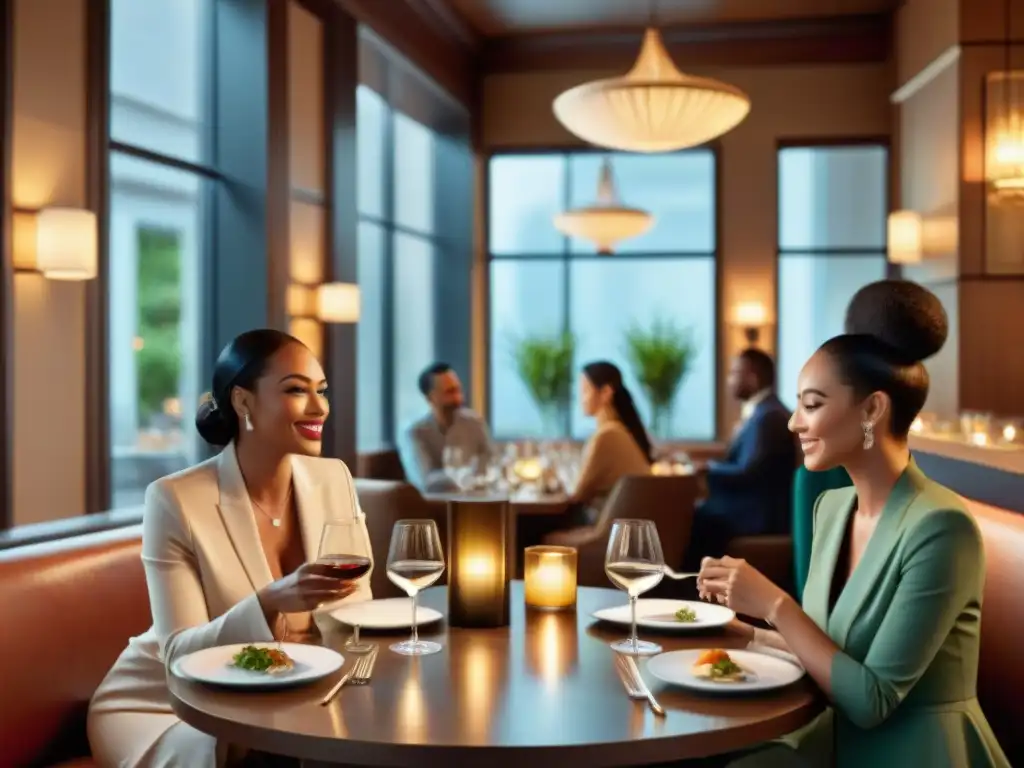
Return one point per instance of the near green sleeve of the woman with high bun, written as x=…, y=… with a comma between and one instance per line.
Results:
x=942, y=570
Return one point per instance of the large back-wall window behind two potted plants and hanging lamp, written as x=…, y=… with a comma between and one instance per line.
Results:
x=545, y=287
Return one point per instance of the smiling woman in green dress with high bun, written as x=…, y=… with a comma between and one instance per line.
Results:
x=890, y=623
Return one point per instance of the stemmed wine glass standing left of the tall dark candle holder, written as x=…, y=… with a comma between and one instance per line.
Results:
x=415, y=562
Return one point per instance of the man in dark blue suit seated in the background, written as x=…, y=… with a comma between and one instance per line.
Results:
x=751, y=491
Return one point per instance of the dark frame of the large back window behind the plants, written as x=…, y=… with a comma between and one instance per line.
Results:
x=567, y=258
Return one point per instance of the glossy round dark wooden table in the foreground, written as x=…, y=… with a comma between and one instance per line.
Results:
x=540, y=693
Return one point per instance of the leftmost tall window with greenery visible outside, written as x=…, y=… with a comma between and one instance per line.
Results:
x=159, y=165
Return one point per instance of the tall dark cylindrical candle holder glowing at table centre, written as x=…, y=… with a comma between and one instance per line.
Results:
x=479, y=563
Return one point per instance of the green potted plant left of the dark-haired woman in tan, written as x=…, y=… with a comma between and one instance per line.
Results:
x=544, y=363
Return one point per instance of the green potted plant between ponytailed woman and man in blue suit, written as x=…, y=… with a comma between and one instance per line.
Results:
x=662, y=357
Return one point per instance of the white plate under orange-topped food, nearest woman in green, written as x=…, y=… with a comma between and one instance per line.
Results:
x=766, y=673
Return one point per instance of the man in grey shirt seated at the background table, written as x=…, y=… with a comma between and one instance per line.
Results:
x=450, y=424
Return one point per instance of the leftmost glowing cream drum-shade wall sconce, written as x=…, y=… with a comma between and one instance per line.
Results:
x=58, y=243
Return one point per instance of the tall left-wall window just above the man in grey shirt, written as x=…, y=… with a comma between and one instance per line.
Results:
x=399, y=248
